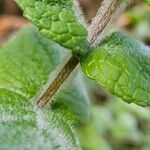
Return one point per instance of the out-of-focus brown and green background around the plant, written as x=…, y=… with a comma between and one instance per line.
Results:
x=114, y=125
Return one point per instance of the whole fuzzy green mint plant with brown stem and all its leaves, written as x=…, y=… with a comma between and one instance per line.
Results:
x=42, y=93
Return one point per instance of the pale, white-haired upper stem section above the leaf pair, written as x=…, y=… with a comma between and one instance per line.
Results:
x=102, y=24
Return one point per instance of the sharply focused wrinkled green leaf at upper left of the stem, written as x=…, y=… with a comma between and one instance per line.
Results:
x=57, y=21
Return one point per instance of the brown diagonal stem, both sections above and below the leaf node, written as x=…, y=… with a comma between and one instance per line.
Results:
x=63, y=74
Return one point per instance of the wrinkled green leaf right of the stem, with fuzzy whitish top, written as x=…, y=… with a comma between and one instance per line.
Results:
x=122, y=66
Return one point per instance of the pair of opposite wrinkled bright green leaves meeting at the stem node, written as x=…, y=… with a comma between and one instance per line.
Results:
x=119, y=63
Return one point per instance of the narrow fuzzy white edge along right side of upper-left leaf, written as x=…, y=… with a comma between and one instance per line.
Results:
x=79, y=13
